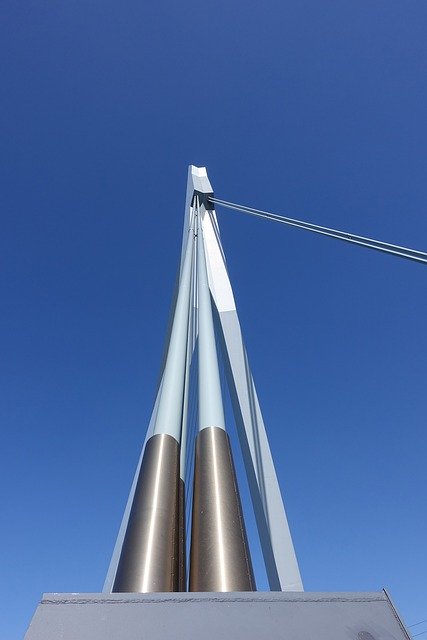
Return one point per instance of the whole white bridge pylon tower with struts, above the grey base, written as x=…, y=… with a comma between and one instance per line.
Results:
x=149, y=554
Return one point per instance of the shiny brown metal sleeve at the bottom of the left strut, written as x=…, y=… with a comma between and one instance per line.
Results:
x=149, y=557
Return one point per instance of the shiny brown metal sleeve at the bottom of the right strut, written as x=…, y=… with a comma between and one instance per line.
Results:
x=220, y=559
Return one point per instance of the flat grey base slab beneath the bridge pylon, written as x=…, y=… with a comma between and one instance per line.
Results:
x=192, y=616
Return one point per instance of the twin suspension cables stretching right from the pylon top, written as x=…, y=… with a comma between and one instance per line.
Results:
x=370, y=243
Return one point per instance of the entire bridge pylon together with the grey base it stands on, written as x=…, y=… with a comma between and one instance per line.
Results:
x=147, y=593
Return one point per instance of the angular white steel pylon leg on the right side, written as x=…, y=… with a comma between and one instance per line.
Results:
x=275, y=537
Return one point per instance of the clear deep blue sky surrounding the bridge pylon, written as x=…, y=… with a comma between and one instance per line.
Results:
x=310, y=108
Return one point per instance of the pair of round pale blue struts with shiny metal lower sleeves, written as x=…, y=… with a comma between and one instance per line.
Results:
x=152, y=553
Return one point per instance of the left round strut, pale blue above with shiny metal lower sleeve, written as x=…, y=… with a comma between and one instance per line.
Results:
x=149, y=557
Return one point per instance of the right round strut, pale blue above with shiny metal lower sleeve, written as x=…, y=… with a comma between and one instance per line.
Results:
x=220, y=558
